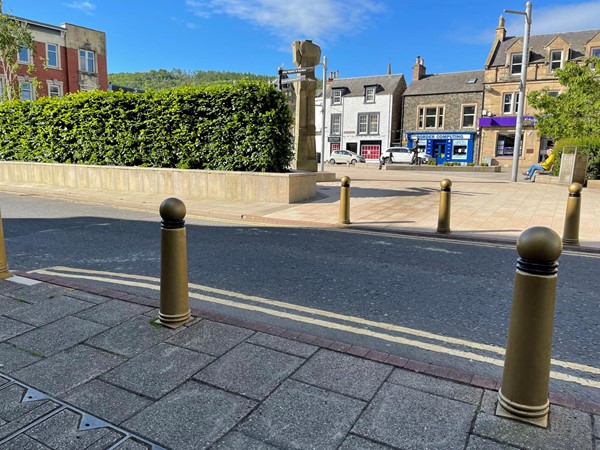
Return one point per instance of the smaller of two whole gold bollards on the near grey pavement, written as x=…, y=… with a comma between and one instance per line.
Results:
x=174, y=302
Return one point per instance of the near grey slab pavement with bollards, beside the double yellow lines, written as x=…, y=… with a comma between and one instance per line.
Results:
x=90, y=369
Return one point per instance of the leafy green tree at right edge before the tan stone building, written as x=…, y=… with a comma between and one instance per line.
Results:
x=573, y=113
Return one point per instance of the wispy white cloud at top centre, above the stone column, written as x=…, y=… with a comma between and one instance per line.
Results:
x=320, y=20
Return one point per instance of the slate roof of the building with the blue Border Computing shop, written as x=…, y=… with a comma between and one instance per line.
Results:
x=446, y=83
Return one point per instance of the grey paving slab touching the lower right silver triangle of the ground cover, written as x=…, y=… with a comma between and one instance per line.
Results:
x=106, y=401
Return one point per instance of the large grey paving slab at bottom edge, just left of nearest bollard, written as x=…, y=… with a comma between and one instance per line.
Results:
x=426, y=420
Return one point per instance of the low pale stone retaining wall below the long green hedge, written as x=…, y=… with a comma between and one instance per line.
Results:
x=207, y=184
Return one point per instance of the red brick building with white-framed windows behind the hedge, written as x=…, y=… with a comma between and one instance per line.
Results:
x=66, y=58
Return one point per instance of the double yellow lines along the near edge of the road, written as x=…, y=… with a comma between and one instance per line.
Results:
x=332, y=325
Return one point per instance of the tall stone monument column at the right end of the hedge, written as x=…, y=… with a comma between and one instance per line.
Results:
x=306, y=54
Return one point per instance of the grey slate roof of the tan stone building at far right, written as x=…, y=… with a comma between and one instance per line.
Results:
x=537, y=45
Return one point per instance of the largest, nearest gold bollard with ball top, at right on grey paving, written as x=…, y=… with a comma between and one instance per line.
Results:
x=524, y=392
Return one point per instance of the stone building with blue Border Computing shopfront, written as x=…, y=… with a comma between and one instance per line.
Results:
x=441, y=111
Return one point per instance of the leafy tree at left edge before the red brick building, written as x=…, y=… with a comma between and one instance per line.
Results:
x=13, y=37
